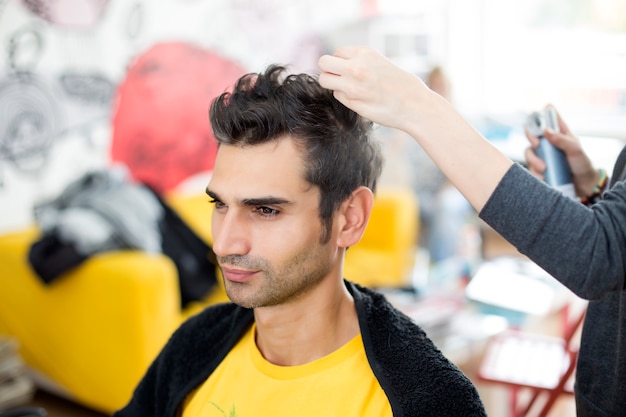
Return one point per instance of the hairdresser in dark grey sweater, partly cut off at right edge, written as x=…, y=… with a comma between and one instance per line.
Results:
x=581, y=245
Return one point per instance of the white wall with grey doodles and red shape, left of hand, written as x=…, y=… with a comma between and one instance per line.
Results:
x=71, y=100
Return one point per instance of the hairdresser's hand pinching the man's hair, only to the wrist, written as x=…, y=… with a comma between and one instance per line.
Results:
x=371, y=85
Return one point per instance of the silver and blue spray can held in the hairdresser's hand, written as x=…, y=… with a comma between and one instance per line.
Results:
x=557, y=174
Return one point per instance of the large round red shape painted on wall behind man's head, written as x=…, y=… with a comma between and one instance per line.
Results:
x=161, y=128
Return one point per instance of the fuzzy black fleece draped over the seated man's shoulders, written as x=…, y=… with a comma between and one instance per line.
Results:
x=417, y=379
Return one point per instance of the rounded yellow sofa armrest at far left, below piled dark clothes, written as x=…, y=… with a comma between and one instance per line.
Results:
x=95, y=329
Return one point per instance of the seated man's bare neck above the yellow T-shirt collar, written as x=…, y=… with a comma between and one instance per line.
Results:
x=315, y=325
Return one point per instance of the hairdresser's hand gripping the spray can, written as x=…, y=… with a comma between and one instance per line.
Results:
x=584, y=175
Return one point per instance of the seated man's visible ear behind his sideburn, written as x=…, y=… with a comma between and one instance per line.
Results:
x=354, y=214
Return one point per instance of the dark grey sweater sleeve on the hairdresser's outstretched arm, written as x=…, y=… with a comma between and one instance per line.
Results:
x=584, y=248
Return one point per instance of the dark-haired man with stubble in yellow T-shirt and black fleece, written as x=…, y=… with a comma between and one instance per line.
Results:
x=293, y=188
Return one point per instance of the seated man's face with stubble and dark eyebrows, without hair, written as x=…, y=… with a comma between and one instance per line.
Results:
x=266, y=226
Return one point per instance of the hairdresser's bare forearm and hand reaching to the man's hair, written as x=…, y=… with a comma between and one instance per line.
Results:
x=377, y=89
